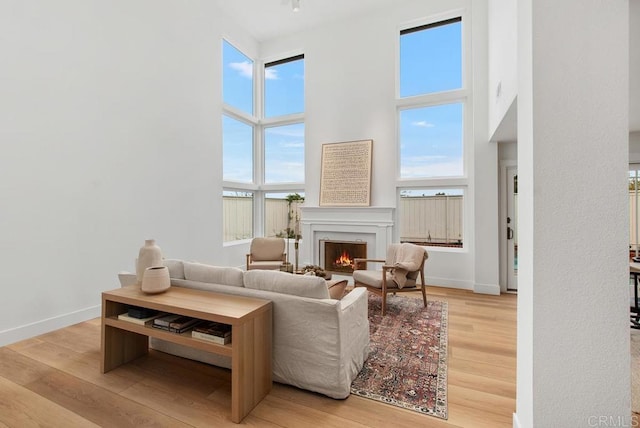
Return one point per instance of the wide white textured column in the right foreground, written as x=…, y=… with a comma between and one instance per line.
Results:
x=573, y=298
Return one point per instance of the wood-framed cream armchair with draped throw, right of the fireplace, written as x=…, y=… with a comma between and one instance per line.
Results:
x=400, y=271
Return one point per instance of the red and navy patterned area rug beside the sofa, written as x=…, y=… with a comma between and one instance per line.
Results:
x=407, y=365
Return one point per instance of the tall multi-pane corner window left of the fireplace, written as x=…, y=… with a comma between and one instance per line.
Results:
x=262, y=150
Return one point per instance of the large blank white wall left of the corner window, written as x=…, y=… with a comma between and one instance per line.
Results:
x=110, y=133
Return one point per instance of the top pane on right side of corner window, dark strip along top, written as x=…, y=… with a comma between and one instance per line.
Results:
x=284, y=87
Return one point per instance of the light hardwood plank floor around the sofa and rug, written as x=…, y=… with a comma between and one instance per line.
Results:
x=54, y=380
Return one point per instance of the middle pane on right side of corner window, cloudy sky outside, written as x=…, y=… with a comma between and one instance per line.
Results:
x=284, y=154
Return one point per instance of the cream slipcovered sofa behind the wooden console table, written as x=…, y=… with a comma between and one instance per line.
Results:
x=319, y=344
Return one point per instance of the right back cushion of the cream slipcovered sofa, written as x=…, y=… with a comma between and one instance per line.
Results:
x=287, y=283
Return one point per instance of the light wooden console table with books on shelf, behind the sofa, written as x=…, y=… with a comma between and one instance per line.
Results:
x=250, y=347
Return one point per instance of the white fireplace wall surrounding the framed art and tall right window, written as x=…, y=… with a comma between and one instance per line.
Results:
x=350, y=72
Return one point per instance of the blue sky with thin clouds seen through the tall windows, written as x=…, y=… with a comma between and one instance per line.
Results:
x=430, y=137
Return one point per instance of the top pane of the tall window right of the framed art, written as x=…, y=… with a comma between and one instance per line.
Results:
x=431, y=58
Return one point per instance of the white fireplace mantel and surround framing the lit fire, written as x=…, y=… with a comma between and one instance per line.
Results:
x=371, y=224
